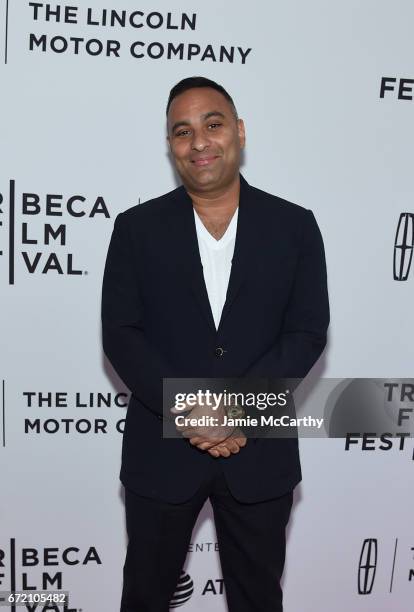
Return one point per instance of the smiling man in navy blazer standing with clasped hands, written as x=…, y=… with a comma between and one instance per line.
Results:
x=214, y=279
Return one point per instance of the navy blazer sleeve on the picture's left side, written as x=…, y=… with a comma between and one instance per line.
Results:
x=140, y=366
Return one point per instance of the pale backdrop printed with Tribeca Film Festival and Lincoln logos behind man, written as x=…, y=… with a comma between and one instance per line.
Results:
x=326, y=90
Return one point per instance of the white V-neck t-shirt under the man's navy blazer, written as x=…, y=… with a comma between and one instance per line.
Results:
x=216, y=256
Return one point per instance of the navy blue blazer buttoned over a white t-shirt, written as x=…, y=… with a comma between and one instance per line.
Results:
x=157, y=323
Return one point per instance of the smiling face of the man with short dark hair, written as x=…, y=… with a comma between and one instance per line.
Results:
x=205, y=140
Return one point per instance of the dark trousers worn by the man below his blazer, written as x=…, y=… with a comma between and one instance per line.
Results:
x=251, y=539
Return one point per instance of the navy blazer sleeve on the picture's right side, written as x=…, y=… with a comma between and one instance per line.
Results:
x=303, y=334
